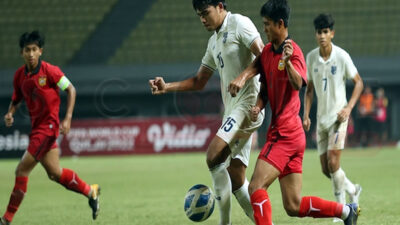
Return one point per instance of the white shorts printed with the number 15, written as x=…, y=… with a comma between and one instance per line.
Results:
x=236, y=130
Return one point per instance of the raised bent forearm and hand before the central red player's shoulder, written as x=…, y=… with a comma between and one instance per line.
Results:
x=295, y=78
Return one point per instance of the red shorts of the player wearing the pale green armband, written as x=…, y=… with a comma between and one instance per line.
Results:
x=40, y=144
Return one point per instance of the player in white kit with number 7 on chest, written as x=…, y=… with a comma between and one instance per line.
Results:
x=328, y=68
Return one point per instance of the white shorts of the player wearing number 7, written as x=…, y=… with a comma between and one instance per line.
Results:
x=332, y=138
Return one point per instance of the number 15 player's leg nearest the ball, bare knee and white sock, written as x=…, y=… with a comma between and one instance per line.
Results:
x=217, y=153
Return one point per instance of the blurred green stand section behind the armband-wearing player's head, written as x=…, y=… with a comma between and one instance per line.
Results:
x=66, y=25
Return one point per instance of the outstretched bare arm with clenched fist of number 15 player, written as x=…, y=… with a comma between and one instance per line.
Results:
x=198, y=82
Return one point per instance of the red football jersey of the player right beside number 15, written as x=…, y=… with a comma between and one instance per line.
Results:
x=283, y=99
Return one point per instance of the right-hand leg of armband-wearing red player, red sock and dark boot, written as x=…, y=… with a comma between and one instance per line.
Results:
x=70, y=180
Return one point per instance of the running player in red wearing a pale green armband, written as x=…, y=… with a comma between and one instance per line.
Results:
x=38, y=83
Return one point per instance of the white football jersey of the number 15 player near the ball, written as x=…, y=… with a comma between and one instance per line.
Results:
x=228, y=51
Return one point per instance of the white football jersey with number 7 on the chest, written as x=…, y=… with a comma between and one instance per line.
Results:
x=329, y=79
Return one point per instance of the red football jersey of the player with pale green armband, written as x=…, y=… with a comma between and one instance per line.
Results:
x=40, y=91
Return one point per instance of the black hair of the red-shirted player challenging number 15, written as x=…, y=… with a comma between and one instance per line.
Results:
x=276, y=10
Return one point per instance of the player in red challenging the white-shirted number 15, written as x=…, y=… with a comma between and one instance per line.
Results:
x=283, y=73
